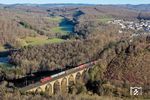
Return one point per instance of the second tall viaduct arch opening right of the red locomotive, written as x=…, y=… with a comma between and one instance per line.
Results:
x=64, y=86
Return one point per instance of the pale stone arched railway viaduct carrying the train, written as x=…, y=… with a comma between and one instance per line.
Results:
x=59, y=84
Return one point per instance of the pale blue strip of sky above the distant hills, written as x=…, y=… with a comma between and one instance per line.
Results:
x=78, y=1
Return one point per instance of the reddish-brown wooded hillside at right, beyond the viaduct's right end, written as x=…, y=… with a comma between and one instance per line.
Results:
x=121, y=66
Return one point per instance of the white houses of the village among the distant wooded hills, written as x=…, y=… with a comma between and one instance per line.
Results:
x=133, y=25
